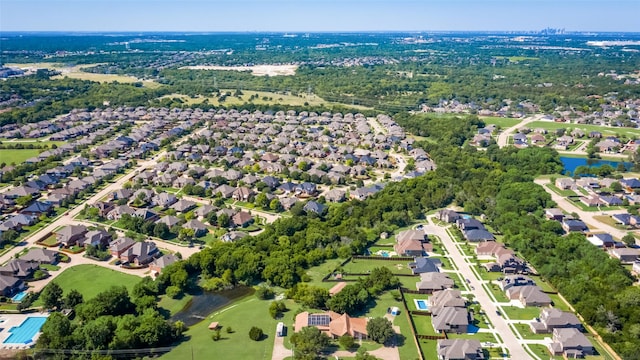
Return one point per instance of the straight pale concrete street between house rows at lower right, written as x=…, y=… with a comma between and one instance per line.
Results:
x=516, y=349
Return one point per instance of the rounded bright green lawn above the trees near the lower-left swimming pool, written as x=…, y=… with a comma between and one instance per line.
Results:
x=90, y=280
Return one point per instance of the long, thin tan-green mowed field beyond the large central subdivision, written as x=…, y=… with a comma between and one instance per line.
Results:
x=264, y=97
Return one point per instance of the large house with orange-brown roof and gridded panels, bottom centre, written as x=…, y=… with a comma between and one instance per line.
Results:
x=333, y=324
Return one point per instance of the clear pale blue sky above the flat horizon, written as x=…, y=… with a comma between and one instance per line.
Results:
x=317, y=15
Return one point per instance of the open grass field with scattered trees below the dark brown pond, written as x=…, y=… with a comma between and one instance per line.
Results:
x=241, y=315
